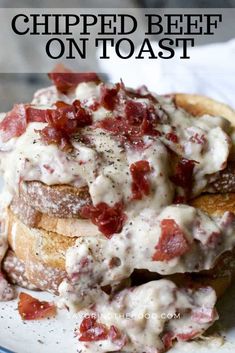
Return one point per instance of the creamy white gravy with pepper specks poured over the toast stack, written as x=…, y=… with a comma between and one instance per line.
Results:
x=104, y=165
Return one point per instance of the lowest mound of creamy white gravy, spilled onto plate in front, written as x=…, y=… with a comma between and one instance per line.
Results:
x=145, y=314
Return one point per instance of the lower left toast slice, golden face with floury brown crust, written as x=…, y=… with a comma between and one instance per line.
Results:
x=42, y=252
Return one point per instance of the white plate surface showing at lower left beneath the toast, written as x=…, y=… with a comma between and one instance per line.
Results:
x=49, y=335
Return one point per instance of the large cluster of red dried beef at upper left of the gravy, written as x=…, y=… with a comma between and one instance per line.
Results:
x=63, y=121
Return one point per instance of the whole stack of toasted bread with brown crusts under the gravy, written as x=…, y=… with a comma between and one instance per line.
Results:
x=44, y=221
